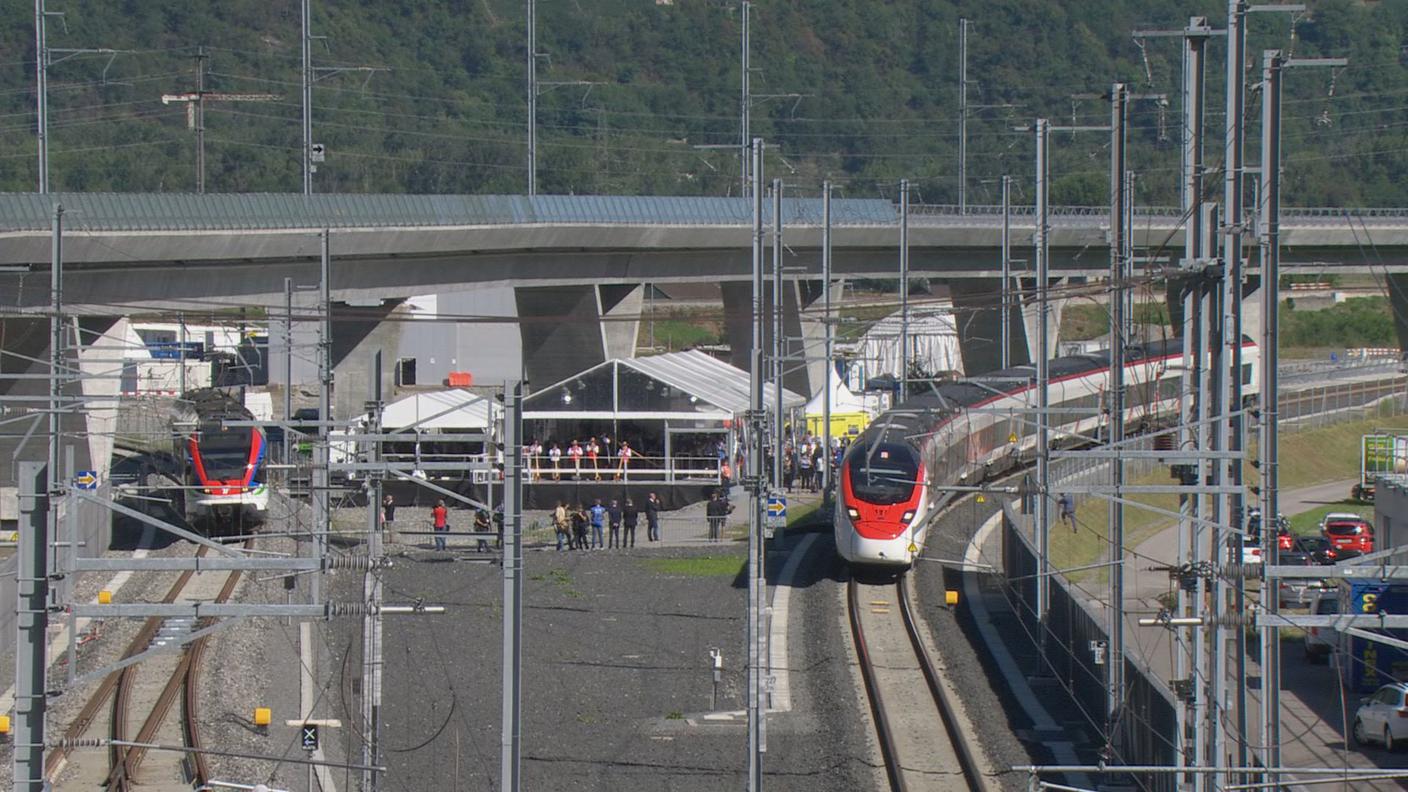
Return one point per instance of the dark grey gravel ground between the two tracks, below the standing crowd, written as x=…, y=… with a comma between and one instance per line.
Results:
x=617, y=680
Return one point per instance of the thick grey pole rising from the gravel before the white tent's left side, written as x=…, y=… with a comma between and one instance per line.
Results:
x=512, y=742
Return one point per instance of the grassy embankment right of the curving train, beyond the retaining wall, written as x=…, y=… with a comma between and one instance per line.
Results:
x=1307, y=457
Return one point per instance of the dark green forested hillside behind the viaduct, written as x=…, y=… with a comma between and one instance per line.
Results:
x=864, y=92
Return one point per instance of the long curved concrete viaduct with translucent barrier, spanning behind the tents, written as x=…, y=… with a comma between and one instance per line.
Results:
x=571, y=261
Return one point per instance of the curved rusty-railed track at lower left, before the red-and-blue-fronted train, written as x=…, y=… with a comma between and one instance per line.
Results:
x=126, y=687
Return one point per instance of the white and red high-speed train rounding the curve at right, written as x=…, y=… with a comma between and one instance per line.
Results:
x=893, y=476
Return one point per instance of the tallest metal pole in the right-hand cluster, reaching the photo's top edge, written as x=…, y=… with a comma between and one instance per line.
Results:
x=1233, y=311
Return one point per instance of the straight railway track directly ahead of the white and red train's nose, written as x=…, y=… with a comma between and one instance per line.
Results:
x=922, y=742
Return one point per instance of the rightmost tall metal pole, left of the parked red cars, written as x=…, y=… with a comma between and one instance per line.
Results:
x=1271, y=230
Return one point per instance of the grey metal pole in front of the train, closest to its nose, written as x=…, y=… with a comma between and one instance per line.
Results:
x=1043, y=388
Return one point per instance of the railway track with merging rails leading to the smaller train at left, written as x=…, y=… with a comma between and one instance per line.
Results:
x=154, y=687
